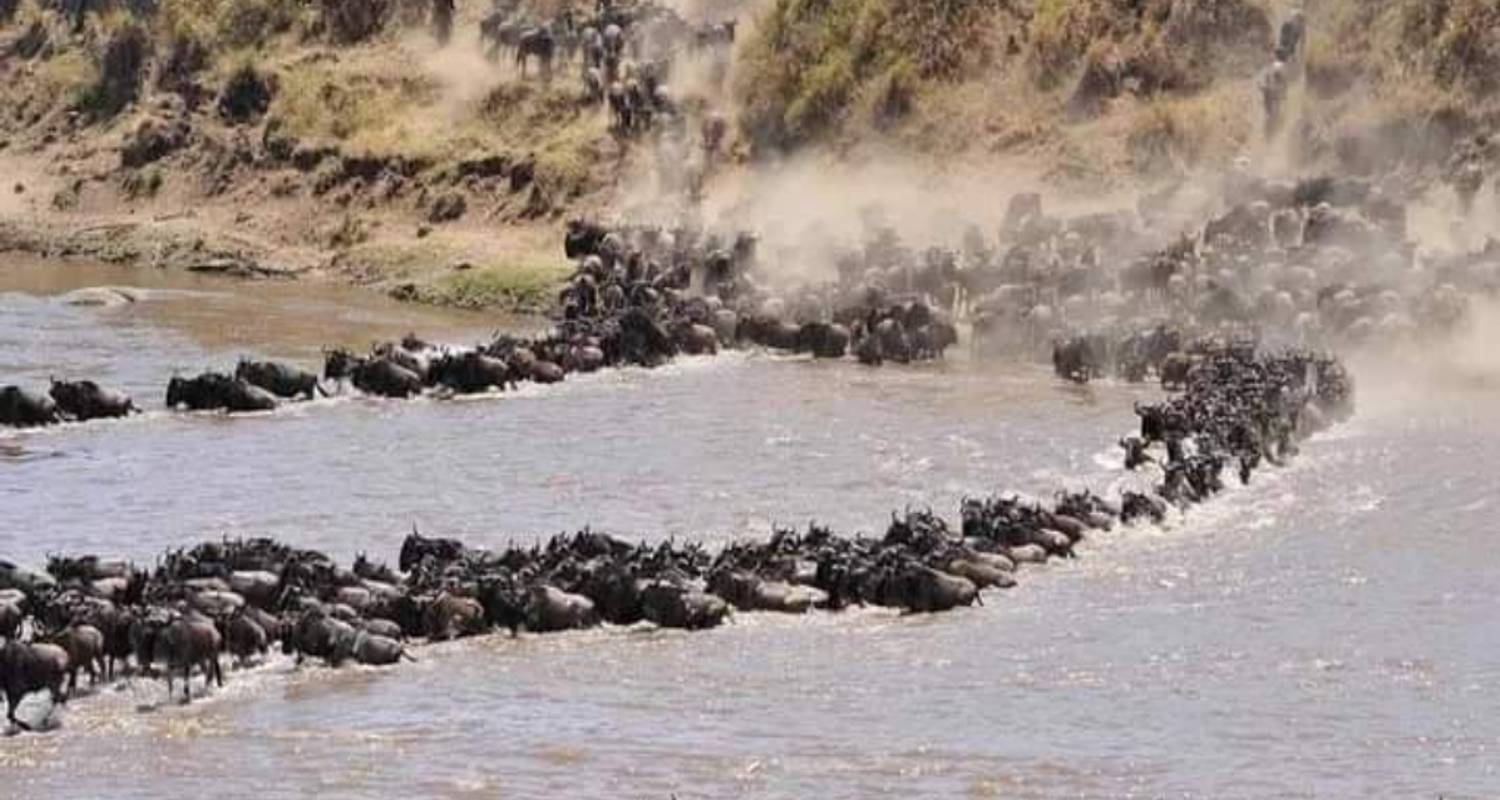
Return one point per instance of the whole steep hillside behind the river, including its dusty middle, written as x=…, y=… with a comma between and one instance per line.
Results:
x=338, y=137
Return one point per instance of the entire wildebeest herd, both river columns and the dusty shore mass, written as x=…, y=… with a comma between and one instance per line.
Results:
x=1300, y=268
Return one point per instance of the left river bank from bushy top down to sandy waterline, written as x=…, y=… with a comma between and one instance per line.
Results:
x=430, y=175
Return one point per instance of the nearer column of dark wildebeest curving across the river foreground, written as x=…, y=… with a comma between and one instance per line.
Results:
x=241, y=597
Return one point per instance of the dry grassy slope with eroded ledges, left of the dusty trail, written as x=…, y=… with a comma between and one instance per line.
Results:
x=437, y=122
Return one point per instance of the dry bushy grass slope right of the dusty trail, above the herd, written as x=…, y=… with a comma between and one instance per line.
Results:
x=1400, y=79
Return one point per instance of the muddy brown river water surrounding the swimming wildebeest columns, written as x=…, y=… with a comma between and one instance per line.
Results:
x=1325, y=633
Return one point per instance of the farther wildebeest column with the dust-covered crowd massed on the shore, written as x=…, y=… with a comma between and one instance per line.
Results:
x=1319, y=263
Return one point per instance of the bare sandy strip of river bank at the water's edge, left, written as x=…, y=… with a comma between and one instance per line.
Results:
x=50, y=212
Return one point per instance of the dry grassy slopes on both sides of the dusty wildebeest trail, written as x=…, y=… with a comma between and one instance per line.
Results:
x=1168, y=88
